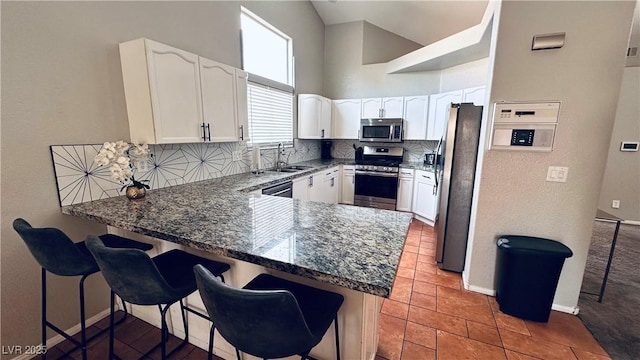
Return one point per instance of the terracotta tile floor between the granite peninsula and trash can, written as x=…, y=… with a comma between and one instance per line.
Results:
x=429, y=315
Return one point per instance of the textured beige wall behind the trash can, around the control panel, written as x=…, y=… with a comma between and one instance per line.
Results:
x=513, y=197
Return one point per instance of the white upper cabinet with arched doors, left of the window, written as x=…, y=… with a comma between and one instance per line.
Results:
x=174, y=96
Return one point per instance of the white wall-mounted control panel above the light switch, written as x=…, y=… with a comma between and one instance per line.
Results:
x=528, y=126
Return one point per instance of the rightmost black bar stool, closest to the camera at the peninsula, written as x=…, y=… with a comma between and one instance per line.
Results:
x=270, y=317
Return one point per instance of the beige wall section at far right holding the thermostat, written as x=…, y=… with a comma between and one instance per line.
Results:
x=622, y=173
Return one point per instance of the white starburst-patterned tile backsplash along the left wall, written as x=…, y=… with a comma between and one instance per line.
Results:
x=79, y=179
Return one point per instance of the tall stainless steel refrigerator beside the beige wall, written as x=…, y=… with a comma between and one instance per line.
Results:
x=457, y=164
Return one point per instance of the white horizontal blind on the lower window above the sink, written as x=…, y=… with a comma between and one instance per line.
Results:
x=270, y=115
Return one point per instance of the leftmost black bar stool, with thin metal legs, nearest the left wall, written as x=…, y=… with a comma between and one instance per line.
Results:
x=58, y=254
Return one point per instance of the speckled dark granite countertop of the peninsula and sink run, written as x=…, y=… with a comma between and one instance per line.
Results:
x=354, y=247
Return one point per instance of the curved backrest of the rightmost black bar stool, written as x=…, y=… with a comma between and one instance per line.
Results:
x=263, y=323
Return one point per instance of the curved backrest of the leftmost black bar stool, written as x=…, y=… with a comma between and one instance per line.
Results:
x=55, y=251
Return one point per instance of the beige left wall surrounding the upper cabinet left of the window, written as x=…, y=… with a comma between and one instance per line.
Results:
x=62, y=84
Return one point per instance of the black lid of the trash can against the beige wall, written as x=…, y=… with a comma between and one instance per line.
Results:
x=518, y=244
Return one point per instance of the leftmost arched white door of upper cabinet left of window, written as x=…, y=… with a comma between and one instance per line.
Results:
x=174, y=84
